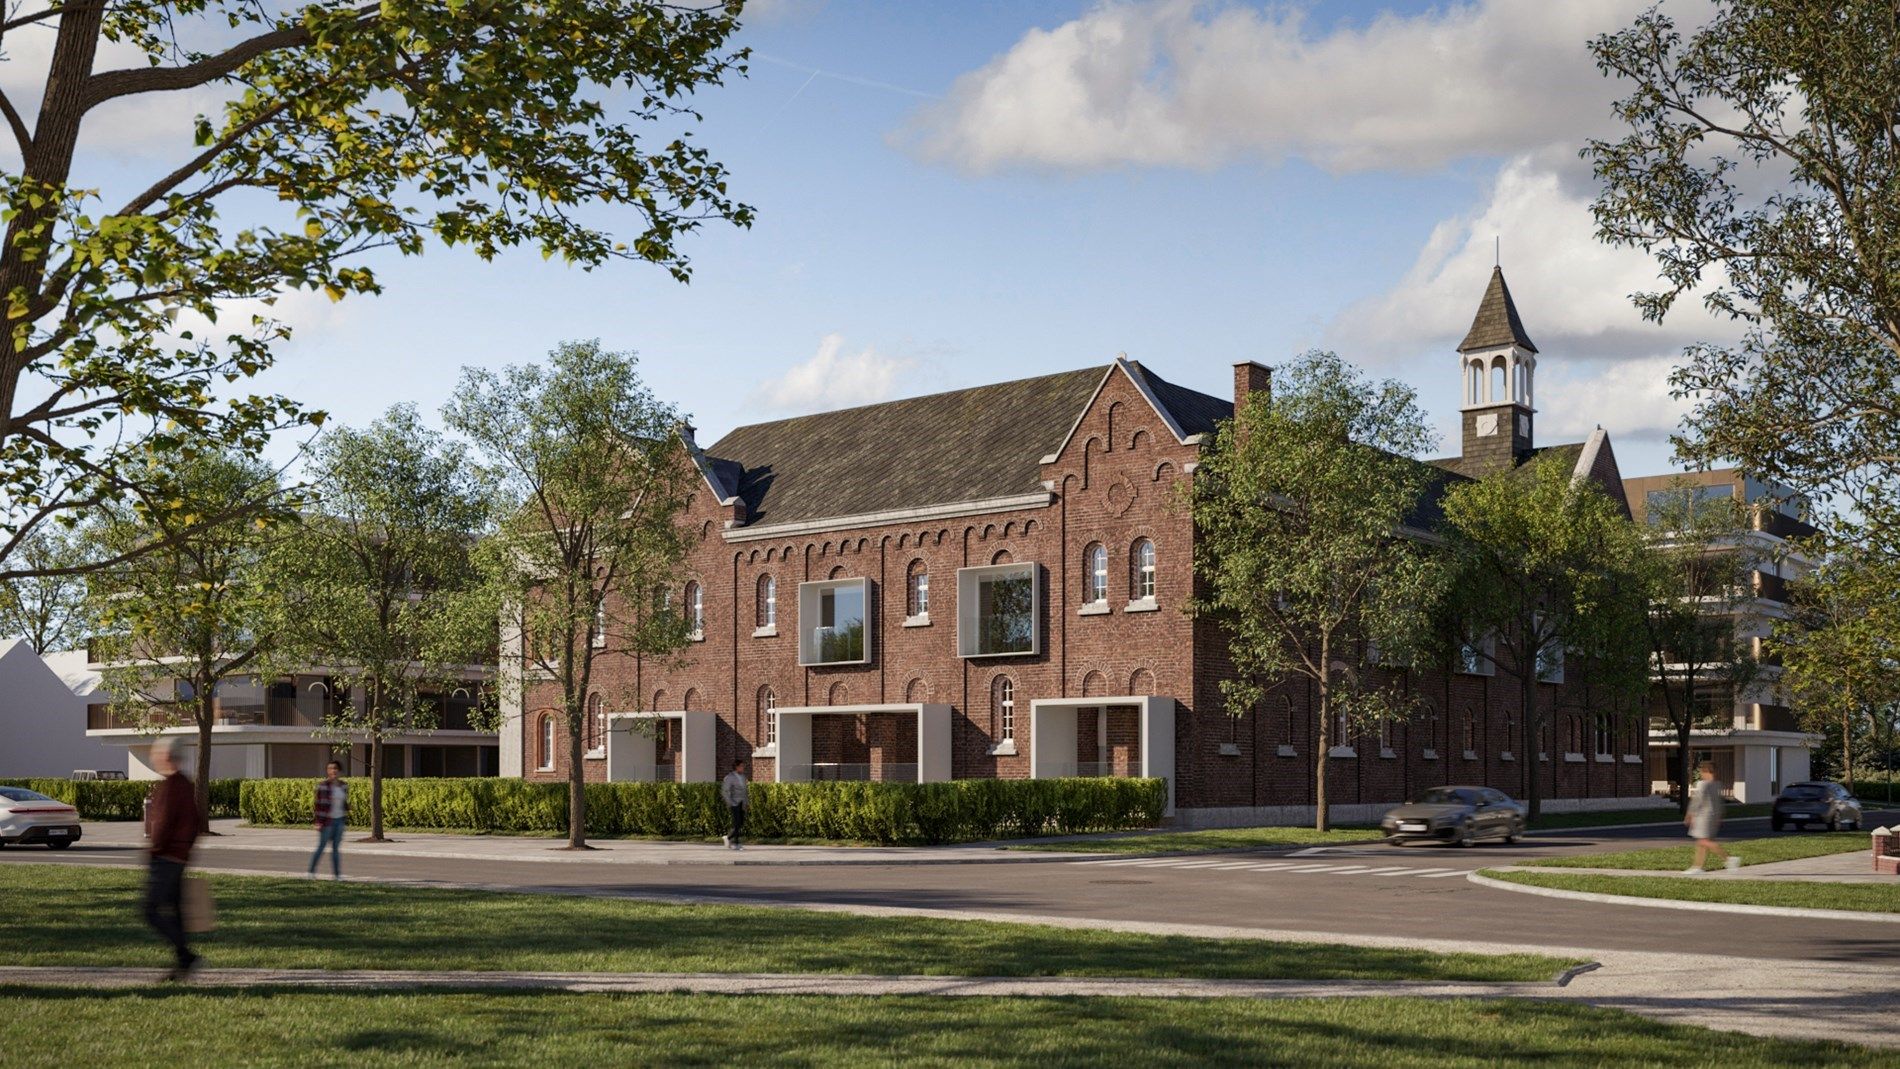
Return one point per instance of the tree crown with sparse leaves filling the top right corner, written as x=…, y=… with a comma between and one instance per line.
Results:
x=1762, y=170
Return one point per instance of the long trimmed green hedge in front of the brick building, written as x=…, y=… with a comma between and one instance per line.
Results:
x=960, y=812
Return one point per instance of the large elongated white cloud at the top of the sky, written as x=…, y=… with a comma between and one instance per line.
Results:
x=1194, y=84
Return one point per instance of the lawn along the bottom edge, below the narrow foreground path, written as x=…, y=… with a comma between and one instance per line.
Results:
x=216, y=1028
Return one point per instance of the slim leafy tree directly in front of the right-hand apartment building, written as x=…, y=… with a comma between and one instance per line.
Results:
x=1701, y=624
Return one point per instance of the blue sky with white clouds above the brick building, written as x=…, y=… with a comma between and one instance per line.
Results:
x=979, y=191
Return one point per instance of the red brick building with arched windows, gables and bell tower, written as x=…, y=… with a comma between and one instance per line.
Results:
x=993, y=584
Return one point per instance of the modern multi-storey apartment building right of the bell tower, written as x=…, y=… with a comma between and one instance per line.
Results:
x=1751, y=732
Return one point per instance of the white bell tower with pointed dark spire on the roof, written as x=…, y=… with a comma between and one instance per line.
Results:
x=1496, y=367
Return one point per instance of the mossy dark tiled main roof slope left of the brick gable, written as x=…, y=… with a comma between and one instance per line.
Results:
x=966, y=445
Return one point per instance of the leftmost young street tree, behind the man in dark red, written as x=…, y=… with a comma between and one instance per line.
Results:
x=193, y=618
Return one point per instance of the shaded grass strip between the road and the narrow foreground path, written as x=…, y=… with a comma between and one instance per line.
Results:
x=295, y=924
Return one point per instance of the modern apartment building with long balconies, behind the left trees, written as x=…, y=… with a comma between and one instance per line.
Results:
x=275, y=728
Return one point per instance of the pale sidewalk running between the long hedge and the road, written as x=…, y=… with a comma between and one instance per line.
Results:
x=237, y=836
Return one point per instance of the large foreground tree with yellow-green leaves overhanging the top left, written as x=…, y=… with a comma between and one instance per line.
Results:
x=345, y=128
